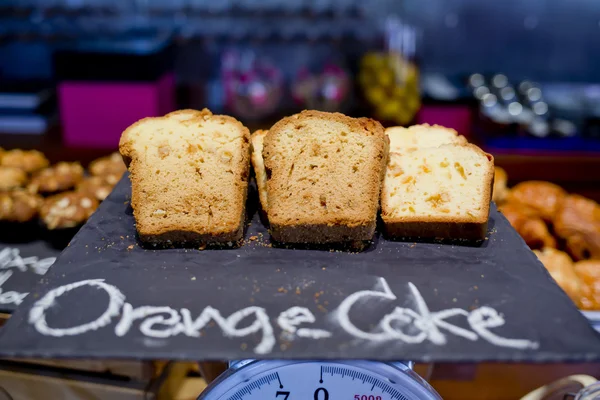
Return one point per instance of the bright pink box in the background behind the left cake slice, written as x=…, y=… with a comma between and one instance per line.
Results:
x=94, y=114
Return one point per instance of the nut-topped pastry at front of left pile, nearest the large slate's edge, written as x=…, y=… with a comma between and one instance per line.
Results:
x=67, y=210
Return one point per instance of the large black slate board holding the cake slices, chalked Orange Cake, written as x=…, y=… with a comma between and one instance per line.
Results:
x=501, y=274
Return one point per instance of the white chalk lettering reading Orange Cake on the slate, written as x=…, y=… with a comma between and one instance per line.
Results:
x=412, y=325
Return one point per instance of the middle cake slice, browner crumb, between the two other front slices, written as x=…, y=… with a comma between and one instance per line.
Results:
x=324, y=173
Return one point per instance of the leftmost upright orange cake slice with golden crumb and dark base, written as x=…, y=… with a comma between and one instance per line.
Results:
x=189, y=177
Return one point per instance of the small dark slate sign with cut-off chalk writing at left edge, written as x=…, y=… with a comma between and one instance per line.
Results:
x=22, y=264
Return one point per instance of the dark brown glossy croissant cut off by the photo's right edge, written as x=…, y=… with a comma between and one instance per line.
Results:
x=578, y=223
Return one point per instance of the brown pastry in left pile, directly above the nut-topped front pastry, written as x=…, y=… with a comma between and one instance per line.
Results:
x=60, y=177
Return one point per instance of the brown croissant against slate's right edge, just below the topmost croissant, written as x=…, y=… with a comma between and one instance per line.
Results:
x=531, y=228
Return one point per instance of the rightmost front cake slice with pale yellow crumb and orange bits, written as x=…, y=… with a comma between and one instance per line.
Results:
x=441, y=192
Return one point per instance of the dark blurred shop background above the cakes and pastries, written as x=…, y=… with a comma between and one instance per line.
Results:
x=520, y=78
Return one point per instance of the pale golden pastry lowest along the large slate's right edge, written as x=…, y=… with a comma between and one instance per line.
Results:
x=560, y=266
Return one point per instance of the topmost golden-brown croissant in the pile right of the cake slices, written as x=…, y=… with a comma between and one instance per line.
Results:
x=543, y=197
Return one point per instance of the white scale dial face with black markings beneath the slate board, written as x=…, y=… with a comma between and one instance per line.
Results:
x=297, y=380
